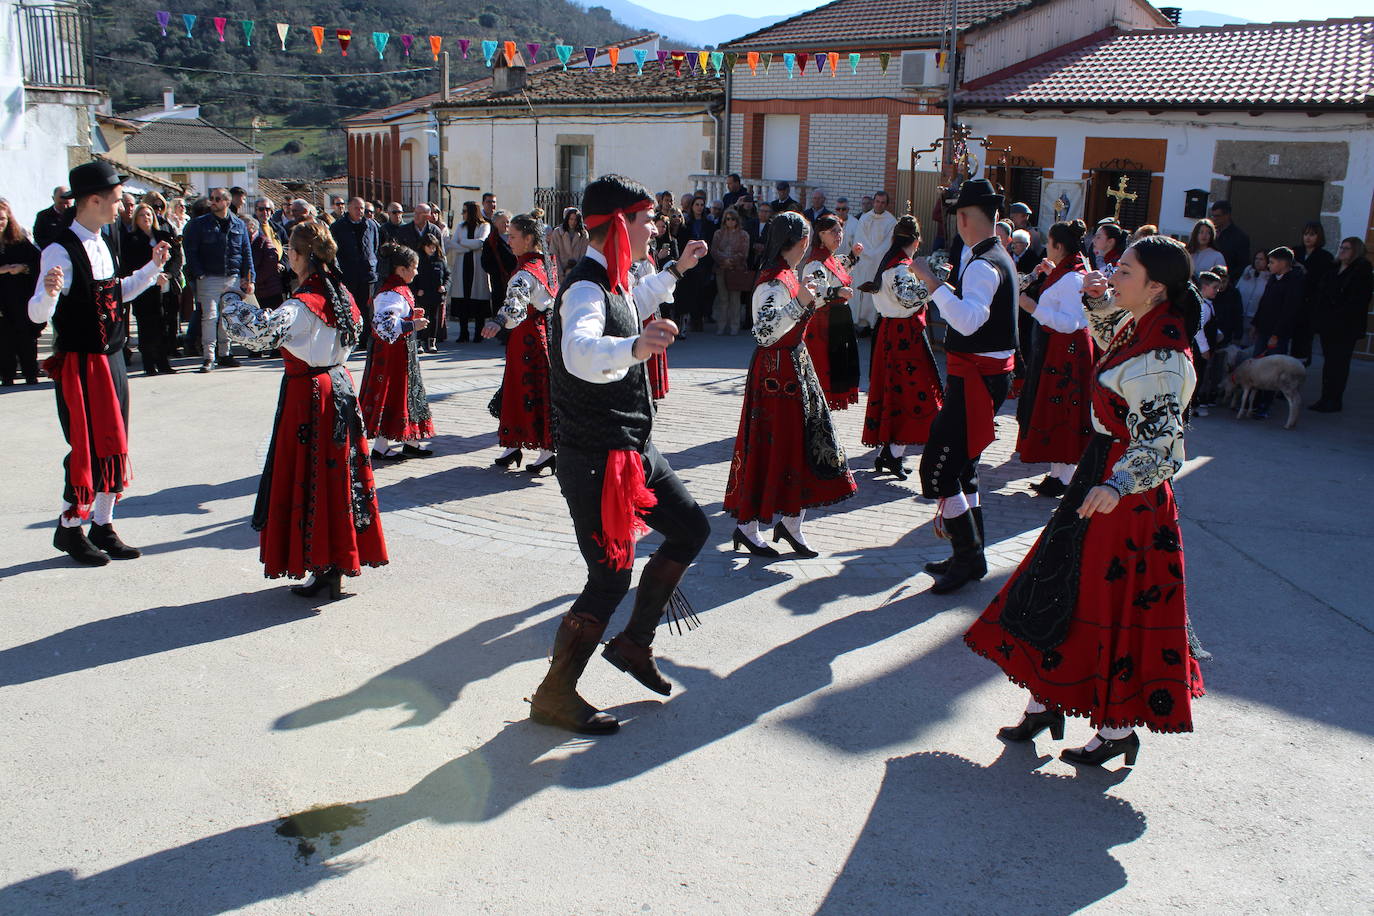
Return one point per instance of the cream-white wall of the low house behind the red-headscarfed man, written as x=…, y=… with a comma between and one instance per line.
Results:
x=499, y=154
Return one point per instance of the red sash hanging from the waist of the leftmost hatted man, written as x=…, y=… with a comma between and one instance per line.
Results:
x=97, y=435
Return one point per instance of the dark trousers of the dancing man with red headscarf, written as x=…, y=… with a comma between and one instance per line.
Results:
x=677, y=517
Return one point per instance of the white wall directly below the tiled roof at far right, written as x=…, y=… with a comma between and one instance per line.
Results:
x=1192, y=149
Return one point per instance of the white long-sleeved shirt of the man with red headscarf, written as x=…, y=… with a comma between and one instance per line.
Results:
x=589, y=352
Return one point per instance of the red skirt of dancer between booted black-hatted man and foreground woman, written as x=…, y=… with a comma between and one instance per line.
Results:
x=1060, y=425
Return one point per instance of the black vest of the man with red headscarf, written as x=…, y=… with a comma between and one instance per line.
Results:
x=600, y=417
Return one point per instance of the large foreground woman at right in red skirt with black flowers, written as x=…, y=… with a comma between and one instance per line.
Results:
x=1094, y=623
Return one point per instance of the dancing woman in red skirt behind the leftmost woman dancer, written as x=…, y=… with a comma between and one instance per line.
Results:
x=394, y=400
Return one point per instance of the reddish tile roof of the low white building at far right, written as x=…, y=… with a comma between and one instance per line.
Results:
x=1298, y=65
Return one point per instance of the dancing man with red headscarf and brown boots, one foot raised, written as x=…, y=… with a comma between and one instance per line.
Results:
x=615, y=481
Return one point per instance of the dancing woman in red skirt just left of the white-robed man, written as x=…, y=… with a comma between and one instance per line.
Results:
x=831, y=337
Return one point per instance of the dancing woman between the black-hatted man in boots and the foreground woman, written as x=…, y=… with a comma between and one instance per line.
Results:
x=1055, y=410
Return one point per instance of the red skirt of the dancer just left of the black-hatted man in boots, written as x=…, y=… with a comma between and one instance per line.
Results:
x=905, y=391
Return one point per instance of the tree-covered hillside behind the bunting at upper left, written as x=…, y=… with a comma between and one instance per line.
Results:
x=296, y=98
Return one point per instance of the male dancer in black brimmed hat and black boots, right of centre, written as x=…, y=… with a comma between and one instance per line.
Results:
x=980, y=350
